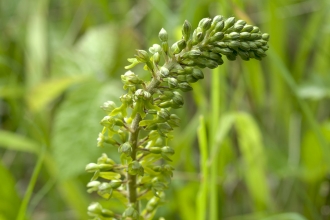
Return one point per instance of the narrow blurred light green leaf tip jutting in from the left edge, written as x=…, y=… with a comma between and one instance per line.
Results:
x=17, y=142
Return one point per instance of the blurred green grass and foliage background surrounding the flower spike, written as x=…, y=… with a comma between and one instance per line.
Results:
x=255, y=136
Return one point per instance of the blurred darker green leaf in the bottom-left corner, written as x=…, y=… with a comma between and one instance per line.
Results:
x=9, y=202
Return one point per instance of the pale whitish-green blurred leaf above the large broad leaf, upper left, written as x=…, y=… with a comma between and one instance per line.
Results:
x=94, y=53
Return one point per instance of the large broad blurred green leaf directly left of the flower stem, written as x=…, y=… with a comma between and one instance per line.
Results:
x=77, y=124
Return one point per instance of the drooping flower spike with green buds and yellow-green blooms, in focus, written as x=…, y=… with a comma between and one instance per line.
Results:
x=140, y=128
